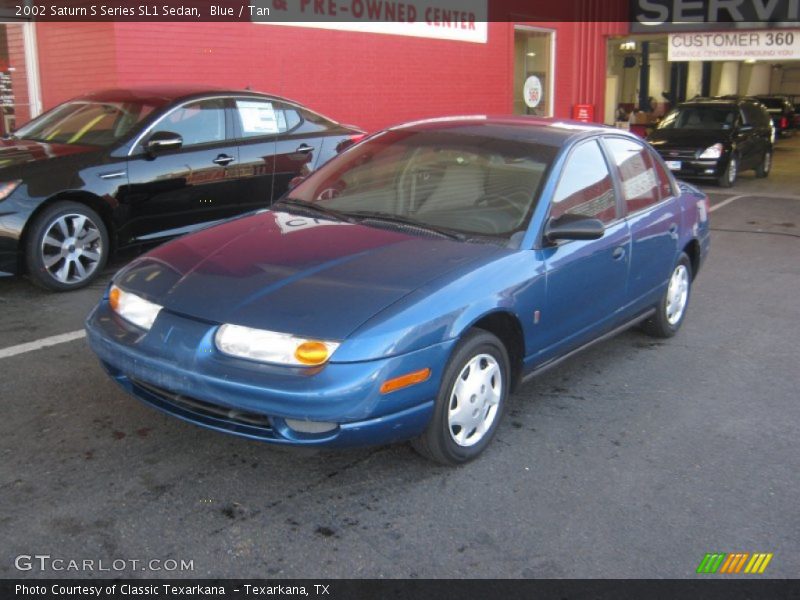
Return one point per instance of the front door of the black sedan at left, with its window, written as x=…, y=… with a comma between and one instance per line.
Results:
x=176, y=191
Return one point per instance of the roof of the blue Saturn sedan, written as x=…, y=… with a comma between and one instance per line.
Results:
x=547, y=131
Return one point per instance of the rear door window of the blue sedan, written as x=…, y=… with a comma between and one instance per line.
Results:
x=636, y=171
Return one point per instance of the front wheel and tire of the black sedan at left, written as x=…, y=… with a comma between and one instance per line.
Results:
x=67, y=247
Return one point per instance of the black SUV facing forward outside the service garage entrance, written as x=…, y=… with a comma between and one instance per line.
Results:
x=716, y=138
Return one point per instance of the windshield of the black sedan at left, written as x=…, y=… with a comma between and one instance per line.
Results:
x=84, y=122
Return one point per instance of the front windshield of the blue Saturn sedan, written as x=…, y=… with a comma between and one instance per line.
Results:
x=458, y=180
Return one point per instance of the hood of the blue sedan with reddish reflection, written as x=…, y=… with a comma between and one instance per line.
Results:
x=294, y=274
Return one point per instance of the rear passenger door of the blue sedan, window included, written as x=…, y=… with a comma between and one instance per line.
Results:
x=652, y=213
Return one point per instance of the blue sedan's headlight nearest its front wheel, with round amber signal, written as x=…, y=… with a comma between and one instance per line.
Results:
x=273, y=347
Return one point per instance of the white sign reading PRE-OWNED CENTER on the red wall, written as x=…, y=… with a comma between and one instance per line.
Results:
x=457, y=20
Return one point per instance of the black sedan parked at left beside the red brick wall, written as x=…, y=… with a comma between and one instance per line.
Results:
x=120, y=167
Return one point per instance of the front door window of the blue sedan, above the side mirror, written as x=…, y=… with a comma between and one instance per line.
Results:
x=585, y=187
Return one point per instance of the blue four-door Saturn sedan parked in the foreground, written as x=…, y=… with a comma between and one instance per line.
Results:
x=401, y=291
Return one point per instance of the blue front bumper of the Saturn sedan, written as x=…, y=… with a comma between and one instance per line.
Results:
x=176, y=368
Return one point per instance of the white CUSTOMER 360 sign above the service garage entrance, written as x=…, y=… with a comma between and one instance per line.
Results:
x=735, y=45
